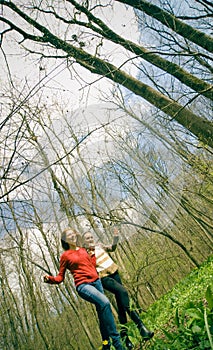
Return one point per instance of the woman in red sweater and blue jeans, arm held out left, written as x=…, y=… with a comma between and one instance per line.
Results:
x=87, y=283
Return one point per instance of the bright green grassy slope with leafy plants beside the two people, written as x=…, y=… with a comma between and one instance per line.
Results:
x=182, y=318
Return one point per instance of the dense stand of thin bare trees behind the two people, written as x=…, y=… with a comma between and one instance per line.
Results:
x=93, y=177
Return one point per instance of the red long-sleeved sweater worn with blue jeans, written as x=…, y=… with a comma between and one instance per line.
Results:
x=80, y=264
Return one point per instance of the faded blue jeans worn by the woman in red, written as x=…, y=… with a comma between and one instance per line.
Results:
x=94, y=293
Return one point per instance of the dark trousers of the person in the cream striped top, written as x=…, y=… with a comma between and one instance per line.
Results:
x=113, y=284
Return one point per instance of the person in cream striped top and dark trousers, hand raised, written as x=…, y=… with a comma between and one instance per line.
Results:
x=111, y=281
